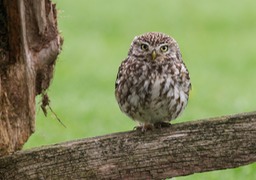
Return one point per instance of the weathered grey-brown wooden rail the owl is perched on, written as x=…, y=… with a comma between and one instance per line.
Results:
x=183, y=149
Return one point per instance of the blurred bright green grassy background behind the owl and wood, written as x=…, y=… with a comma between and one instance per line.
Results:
x=217, y=40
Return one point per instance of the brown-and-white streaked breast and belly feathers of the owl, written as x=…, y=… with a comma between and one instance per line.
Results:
x=157, y=93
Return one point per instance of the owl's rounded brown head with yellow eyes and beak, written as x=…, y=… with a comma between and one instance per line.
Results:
x=154, y=47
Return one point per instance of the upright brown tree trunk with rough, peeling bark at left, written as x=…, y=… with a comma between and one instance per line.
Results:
x=29, y=45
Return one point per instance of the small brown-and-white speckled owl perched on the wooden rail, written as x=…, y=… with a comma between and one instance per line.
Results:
x=153, y=83
